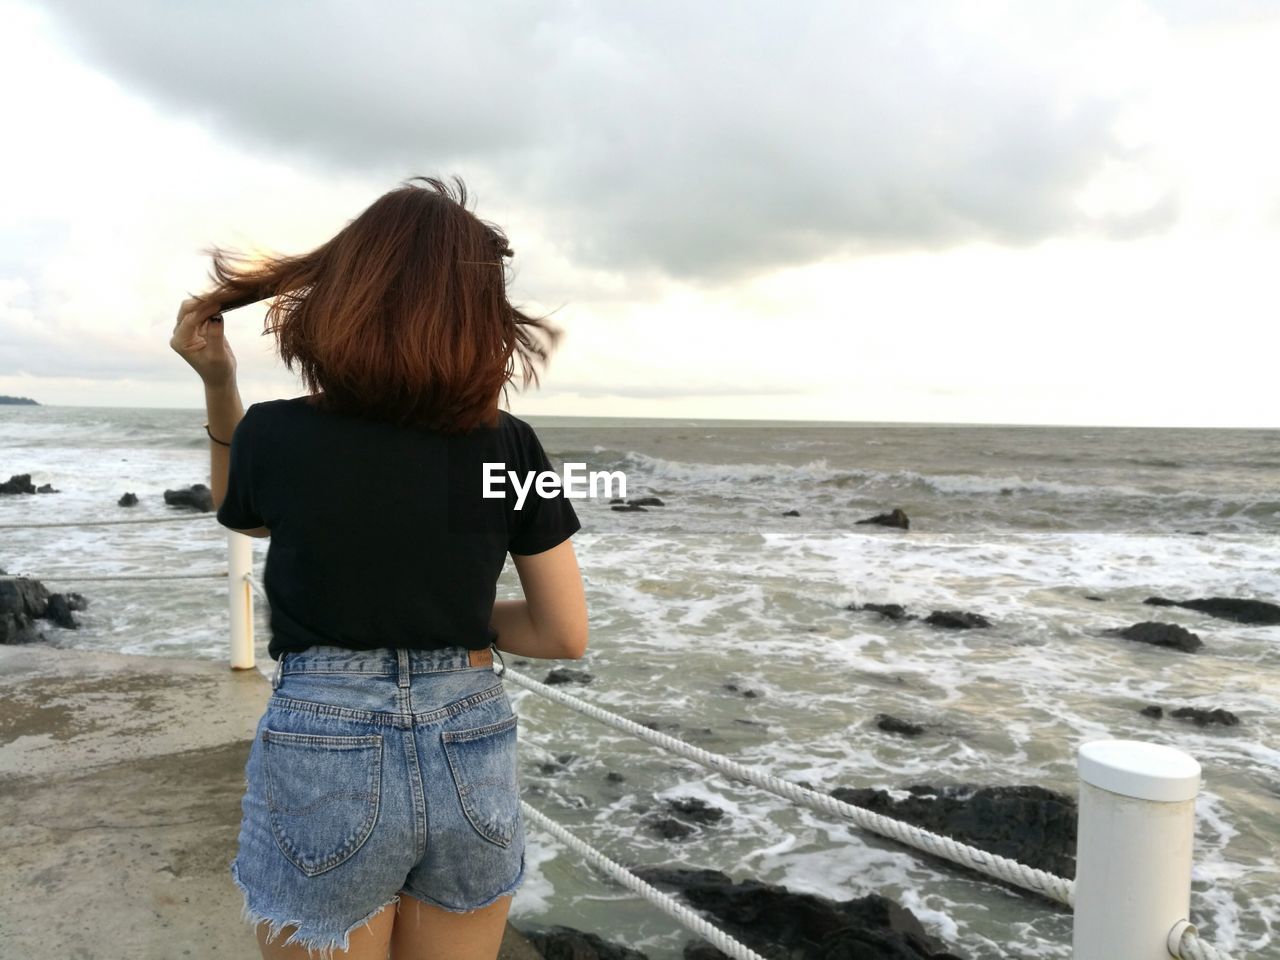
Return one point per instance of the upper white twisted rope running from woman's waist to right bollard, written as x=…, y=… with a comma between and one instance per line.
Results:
x=991, y=865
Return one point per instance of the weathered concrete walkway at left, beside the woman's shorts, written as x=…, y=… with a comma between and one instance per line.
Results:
x=121, y=783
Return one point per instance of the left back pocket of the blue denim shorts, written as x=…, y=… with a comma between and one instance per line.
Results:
x=323, y=796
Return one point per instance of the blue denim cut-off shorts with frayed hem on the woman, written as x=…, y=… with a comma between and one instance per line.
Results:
x=376, y=774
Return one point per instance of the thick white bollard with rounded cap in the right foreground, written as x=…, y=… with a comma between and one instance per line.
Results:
x=1133, y=862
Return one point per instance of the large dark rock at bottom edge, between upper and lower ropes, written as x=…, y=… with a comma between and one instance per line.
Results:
x=776, y=922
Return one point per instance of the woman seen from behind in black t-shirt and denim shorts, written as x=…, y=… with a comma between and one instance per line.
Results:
x=382, y=811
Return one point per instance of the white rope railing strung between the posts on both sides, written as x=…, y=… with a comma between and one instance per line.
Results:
x=1183, y=941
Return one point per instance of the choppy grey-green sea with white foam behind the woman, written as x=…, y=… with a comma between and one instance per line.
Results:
x=725, y=621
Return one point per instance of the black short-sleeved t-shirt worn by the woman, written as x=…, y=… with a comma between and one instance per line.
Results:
x=381, y=534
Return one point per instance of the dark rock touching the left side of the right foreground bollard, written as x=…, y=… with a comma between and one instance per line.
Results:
x=1026, y=824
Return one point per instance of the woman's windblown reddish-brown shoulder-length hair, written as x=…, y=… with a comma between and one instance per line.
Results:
x=403, y=317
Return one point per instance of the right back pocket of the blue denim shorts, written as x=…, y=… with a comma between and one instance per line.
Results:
x=483, y=761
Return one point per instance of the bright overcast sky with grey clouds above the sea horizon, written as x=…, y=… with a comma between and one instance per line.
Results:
x=909, y=212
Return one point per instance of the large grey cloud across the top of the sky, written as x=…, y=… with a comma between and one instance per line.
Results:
x=705, y=141
